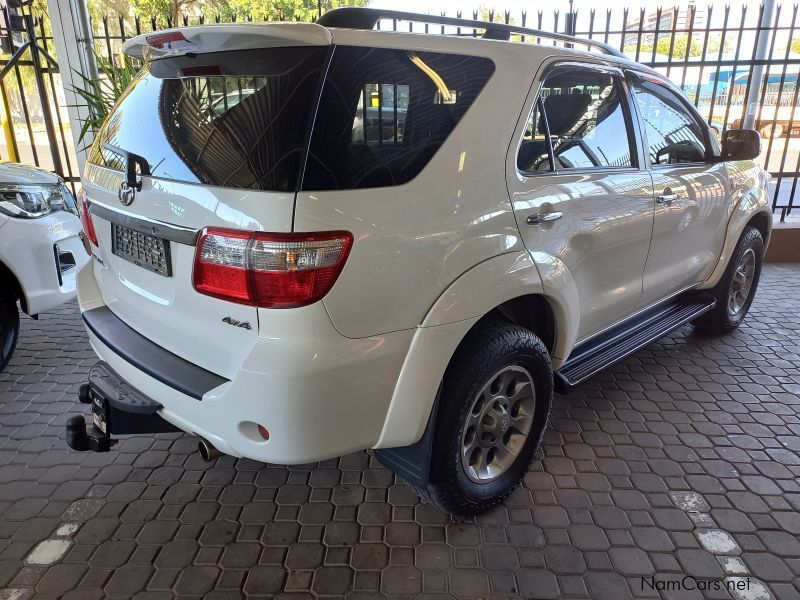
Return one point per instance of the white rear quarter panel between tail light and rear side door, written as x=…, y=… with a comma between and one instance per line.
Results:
x=453, y=215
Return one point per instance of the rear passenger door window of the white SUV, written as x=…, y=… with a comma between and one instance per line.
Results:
x=584, y=113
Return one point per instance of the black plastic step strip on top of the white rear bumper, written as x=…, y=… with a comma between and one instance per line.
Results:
x=159, y=363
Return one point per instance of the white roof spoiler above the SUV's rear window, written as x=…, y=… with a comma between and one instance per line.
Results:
x=223, y=37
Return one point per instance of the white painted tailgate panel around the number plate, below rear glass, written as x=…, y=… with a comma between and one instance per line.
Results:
x=157, y=305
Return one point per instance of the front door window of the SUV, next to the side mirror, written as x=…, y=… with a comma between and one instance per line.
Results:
x=672, y=134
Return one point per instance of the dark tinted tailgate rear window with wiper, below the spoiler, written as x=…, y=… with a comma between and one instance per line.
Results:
x=233, y=119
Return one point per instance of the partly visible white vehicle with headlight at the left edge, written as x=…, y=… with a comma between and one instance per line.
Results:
x=40, y=248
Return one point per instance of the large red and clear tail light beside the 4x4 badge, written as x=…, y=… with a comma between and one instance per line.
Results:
x=275, y=270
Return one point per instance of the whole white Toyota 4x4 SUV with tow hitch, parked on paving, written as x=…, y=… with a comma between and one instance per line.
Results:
x=312, y=239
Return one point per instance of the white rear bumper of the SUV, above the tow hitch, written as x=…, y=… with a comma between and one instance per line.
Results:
x=319, y=394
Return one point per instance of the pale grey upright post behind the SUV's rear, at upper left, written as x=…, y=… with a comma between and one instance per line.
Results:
x=72, y=35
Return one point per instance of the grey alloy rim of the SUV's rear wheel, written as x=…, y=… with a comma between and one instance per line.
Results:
x=498, y=424
